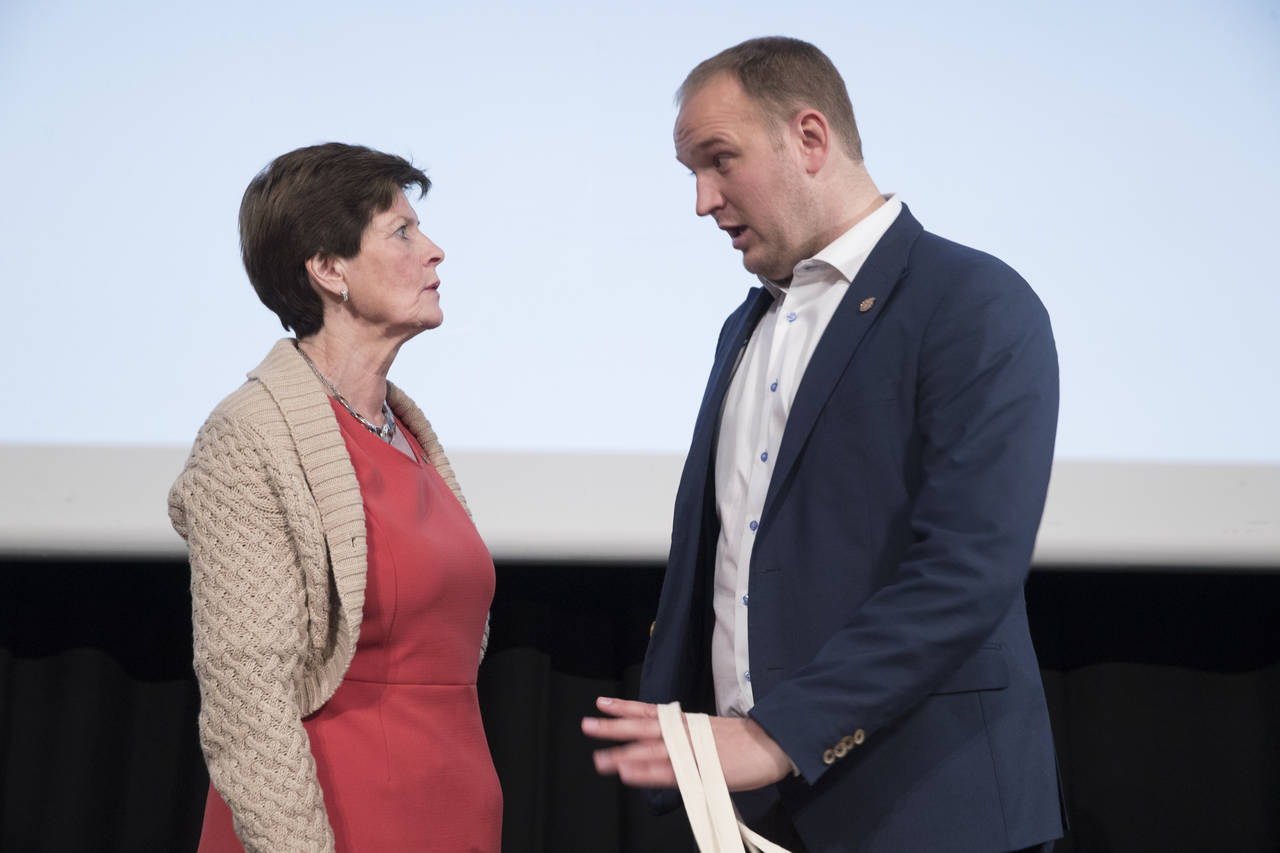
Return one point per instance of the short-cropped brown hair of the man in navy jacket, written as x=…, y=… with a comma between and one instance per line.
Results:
x=784, y=76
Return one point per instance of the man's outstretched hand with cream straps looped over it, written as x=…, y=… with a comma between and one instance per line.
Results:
x=749, y=758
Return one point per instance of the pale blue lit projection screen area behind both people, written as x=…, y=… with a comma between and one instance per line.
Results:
x=1122, y=156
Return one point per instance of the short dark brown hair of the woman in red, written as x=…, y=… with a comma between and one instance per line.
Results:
x=314, y=202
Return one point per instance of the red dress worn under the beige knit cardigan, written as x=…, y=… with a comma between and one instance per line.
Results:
x=400, y=749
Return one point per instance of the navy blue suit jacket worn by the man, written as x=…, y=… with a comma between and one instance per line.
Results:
x=888, y=627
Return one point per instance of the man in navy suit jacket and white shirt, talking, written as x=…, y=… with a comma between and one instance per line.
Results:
x=858, y=509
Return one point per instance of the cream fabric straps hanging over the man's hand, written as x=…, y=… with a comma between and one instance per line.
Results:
x=716, y=824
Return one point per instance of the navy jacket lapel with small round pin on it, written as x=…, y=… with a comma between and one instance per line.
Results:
x=840, y=341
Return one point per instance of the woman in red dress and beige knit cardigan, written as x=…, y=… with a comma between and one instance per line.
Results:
x=340, y=591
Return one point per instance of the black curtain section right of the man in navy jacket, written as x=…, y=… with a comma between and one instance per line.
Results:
x=1164, y=692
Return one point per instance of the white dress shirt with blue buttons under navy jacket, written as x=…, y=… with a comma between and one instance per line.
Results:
x=752, y=422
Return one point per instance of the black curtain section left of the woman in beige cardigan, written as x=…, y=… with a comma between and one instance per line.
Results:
x=98, y=709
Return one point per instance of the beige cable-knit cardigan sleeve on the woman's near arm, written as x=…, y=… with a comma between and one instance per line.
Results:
x=250, y=623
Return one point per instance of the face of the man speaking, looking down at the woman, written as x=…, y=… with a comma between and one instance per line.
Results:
x=749, y=176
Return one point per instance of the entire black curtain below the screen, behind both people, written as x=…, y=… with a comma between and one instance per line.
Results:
x=1164, y=691
